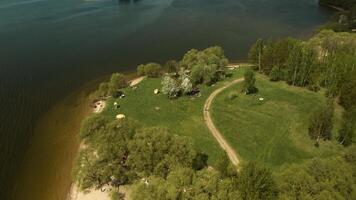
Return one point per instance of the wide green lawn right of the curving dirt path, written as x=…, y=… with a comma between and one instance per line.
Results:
x=273, y=131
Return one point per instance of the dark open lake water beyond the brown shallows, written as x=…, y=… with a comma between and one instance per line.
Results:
x=49, y=48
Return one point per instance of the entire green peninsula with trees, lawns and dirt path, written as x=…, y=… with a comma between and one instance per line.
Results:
x=289, y=117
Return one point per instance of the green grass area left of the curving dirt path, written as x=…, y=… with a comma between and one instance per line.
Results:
x=182, y=116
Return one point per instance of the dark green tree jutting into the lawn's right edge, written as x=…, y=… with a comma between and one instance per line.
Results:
x=321, y=125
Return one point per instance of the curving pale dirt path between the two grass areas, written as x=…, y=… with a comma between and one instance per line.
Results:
x=209, y=123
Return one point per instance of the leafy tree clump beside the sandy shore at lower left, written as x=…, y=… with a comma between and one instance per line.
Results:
x=103, y=159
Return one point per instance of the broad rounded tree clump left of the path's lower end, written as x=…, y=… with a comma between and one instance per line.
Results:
x=155, y=151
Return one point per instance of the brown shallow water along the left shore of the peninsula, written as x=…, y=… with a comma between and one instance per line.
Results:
x=48, y=160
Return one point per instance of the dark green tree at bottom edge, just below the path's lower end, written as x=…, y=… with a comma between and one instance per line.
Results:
x=256, y=182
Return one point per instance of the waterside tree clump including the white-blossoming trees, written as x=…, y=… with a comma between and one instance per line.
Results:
x=183, y=77
